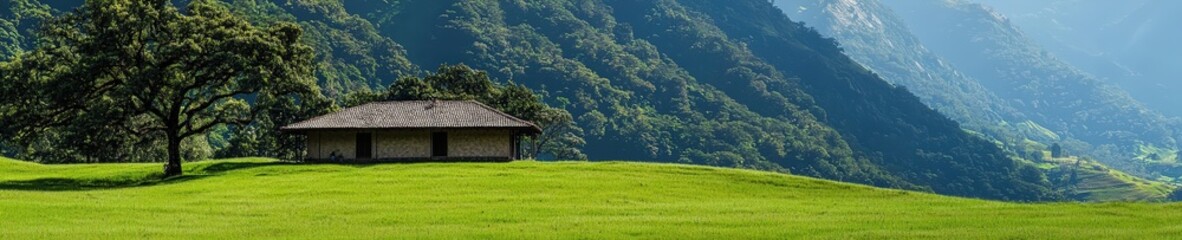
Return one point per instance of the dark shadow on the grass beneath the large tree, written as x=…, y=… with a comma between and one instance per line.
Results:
x=116, y=183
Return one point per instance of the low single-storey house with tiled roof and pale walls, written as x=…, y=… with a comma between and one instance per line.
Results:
x=415, y=131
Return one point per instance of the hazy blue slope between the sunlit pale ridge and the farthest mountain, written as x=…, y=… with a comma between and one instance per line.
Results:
x=983, y=44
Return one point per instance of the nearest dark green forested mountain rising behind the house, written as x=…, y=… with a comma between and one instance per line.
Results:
x=719, y=83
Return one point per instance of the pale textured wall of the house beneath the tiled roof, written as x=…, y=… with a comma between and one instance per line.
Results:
x=412, y=144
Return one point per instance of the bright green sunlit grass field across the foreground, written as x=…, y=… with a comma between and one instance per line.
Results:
x=254, y=198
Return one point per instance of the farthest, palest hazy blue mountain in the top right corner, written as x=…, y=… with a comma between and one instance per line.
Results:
x=1128, y=43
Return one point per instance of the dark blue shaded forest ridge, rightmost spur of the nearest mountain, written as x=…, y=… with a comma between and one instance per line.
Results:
x=872, y=114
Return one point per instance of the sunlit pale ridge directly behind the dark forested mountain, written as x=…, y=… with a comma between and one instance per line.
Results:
x=875, y=37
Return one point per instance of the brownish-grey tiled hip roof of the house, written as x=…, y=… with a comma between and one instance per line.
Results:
x=414, y=115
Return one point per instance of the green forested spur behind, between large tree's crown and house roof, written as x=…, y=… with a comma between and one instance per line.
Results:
x=350, y=55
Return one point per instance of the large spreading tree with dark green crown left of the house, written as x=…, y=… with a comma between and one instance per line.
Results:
x=147, y=68
